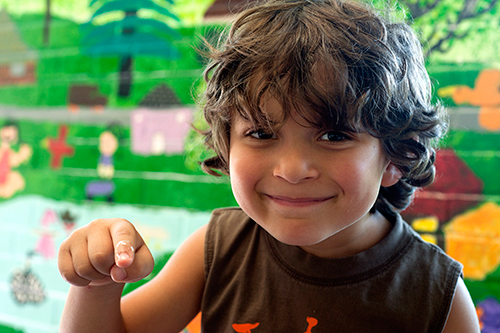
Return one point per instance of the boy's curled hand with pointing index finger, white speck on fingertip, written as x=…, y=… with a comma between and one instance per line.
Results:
x=104, y=251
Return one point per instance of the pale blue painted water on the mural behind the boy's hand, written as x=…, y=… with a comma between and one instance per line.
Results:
x=39, y=230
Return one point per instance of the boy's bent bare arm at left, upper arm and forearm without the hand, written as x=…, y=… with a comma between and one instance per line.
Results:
x=167, y=303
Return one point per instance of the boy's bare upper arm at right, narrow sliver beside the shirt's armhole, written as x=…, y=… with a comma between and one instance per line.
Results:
x=462, y=317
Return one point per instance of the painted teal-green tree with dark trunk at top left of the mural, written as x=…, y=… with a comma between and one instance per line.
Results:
x=130, y=35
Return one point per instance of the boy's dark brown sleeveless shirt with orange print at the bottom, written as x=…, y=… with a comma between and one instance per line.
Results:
x=256, y=284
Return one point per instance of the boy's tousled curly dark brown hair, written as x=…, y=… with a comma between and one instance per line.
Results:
x=340, y=64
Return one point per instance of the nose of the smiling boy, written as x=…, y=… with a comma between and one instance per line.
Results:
x=295, y=165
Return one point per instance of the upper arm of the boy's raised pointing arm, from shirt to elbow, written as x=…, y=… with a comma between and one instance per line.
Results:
x=173, y=298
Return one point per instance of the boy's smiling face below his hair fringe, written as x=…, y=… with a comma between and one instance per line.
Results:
x=307, y=187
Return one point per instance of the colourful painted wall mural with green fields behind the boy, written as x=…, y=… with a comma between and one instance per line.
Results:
x=96, y=97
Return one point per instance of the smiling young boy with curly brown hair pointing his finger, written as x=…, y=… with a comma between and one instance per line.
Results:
x=319, y=112
